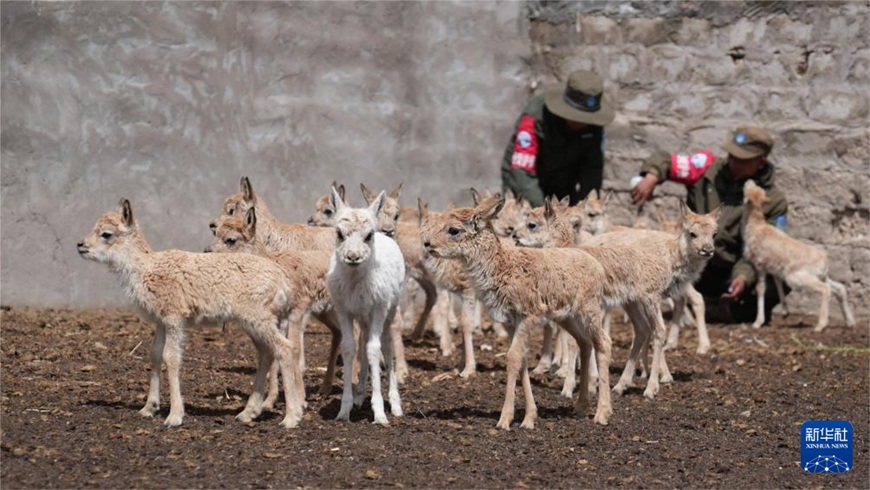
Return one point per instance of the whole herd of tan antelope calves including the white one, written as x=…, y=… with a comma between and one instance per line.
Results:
x=559, y=268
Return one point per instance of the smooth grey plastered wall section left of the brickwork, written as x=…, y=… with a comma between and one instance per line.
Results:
x=169, y=104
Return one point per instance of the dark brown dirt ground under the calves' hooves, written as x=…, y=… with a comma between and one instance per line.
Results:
x=72, y=382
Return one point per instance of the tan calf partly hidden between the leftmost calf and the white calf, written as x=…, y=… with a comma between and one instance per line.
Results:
x=306, y=273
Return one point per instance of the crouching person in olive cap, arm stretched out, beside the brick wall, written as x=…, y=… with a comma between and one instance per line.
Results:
x=712, y=182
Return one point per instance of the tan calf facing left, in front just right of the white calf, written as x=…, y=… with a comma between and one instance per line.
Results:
x=526, y=288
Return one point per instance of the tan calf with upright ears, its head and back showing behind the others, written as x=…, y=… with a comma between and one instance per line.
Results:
x=274, y=235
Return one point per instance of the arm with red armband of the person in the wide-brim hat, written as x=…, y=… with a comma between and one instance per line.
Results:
x=520, y=162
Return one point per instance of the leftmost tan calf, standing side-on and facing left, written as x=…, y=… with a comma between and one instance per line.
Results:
x=174, y=288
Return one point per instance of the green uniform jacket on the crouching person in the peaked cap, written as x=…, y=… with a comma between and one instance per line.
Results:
x=716, y=187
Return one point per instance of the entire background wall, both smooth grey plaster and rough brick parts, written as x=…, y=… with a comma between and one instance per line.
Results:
x=170, y=103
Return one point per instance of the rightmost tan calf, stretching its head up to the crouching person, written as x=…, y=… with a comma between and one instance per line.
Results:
x=801, y=265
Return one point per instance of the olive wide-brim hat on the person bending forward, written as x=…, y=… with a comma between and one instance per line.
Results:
x=582, y=100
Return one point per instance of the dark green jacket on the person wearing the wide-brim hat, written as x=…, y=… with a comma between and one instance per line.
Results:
x=561, y=159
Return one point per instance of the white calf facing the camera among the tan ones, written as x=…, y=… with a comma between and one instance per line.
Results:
x=366, y=274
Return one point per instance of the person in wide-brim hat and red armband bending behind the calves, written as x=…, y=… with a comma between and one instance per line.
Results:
x=557, y=147
